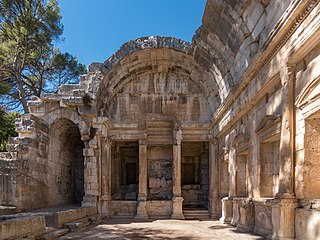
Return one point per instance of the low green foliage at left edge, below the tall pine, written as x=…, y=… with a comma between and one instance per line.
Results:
x=7, y=128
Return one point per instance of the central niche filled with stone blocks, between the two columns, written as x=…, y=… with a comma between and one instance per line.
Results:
x=160, y=172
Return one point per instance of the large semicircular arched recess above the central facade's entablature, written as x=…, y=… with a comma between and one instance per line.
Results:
x=160, y=79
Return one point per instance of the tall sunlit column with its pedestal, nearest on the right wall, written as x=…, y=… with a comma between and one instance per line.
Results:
x=283, y=209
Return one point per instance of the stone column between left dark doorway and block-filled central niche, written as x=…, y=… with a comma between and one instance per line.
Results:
x=143, y=178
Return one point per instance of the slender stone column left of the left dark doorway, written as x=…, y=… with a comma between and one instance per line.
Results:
x=106, y=177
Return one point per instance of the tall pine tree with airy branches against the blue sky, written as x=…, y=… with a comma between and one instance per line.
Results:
x=29, y=62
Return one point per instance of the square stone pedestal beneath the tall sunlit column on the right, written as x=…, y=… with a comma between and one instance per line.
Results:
x=283, y=218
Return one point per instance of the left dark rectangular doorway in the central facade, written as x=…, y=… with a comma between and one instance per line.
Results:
x=125, y=171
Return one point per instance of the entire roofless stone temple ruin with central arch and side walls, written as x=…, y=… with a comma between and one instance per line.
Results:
x=228, y=124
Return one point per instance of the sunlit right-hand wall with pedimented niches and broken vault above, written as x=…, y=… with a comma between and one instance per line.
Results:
x=281, y=74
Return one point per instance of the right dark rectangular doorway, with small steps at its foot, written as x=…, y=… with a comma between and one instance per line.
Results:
x=195, y=174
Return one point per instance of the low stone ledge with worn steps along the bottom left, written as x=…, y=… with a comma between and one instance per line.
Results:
x=48, y=223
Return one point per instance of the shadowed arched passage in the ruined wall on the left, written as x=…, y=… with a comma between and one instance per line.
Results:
x=65, y=178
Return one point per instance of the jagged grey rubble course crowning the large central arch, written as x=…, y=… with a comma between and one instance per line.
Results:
x=139, y=44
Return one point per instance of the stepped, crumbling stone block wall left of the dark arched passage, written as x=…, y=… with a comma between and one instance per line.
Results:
x=27, y=165
